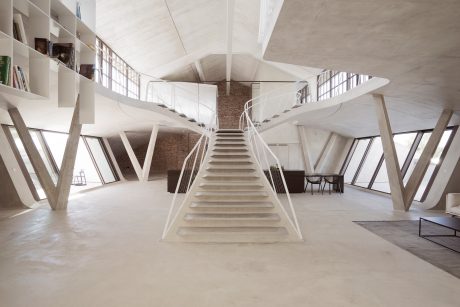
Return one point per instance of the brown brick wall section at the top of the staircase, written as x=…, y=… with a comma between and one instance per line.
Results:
x=229, y=108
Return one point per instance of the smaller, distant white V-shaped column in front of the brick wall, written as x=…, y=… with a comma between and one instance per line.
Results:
x=142, y=172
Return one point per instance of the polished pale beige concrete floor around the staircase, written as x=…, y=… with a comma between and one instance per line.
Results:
x=105, y=251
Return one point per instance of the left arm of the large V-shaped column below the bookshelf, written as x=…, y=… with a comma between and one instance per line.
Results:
x=34, y=156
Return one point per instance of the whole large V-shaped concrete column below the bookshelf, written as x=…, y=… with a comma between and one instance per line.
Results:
x=57, y=195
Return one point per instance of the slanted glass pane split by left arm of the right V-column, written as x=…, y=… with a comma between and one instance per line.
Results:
x=403, y=144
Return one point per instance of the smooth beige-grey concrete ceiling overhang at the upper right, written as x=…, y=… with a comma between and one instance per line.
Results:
x=413, y=43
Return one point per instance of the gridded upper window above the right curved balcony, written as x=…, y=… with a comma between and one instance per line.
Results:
x=333, y=83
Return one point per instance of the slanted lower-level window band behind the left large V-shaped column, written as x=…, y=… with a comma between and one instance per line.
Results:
x=92, y=165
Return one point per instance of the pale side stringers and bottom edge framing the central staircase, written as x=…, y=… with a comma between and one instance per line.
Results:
x=185, y=208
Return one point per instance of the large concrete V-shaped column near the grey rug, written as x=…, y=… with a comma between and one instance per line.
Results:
x=404, y=196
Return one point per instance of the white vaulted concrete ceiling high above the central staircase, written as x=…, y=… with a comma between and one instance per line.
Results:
x=171, y=39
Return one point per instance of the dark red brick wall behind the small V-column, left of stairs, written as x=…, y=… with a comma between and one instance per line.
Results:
x=171, y=149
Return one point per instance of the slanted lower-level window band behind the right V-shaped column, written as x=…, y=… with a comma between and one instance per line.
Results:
x=366, y=166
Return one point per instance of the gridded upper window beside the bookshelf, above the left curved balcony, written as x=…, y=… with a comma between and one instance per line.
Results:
x=114, y=73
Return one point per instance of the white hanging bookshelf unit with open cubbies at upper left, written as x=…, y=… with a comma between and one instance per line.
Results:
x=57, y=22
